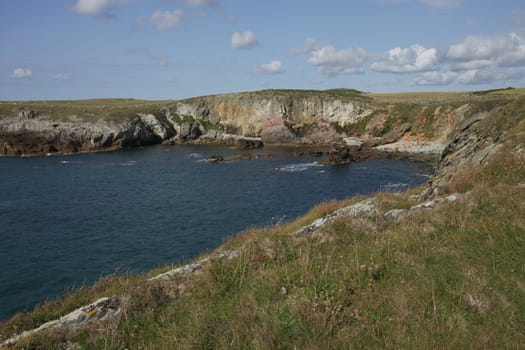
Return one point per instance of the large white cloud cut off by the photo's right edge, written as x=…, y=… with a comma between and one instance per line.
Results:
x=478, y=51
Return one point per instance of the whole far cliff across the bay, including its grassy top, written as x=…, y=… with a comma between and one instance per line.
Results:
x=273, y=117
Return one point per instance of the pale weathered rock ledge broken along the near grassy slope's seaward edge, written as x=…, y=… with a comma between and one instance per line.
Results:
x=474, y=139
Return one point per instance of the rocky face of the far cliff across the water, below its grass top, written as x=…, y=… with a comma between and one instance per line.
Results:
x=243, y=120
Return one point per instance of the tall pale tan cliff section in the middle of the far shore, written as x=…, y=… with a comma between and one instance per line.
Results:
x=247, y=113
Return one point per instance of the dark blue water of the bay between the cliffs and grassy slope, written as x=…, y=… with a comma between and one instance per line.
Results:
x=68, y=220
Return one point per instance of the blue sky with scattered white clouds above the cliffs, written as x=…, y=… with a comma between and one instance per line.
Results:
x=172, y=49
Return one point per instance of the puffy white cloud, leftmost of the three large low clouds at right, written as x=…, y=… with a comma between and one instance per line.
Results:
x=331, y=62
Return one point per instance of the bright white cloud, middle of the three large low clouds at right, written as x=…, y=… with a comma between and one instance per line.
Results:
x=415, y=58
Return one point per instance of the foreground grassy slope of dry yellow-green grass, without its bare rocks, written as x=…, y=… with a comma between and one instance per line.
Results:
x=450, y=278
